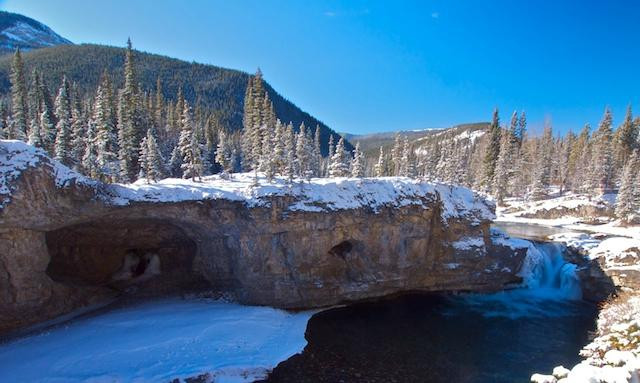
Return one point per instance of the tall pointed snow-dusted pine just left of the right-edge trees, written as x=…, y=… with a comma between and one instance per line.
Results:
x=602, y=156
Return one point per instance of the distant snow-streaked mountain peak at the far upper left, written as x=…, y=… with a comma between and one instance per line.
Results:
x=18, y=31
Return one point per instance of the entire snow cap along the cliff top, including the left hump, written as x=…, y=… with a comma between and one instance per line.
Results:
x=316, y=195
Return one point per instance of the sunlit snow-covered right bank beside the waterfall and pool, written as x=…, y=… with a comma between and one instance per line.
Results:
x=613, y=356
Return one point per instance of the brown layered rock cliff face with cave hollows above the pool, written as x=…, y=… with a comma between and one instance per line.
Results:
x=67, y=242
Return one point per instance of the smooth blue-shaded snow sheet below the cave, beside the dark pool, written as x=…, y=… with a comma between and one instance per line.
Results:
x=150, y=343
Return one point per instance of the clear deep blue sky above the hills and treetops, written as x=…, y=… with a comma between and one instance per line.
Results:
x=366, y=66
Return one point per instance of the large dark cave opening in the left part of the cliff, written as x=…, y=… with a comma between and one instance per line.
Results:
x=121, y=253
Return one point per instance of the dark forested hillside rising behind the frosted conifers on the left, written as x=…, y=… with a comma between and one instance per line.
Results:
x=216, y=89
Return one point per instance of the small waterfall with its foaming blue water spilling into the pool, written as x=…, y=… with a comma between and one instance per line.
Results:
x=551, y=288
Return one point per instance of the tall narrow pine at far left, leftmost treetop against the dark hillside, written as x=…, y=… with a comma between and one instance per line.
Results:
x=19, y=109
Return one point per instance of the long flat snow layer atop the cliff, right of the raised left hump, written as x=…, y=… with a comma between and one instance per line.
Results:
x=318, y=194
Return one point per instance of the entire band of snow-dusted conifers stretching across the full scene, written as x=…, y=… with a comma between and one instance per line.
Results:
x=126, y=134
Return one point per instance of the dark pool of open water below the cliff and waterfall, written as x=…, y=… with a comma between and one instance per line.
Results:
x=432, y=338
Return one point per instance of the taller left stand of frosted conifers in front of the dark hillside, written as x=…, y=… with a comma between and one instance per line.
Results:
x=122, y=135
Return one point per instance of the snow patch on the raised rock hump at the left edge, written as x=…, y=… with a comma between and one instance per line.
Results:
x=17, y=156
